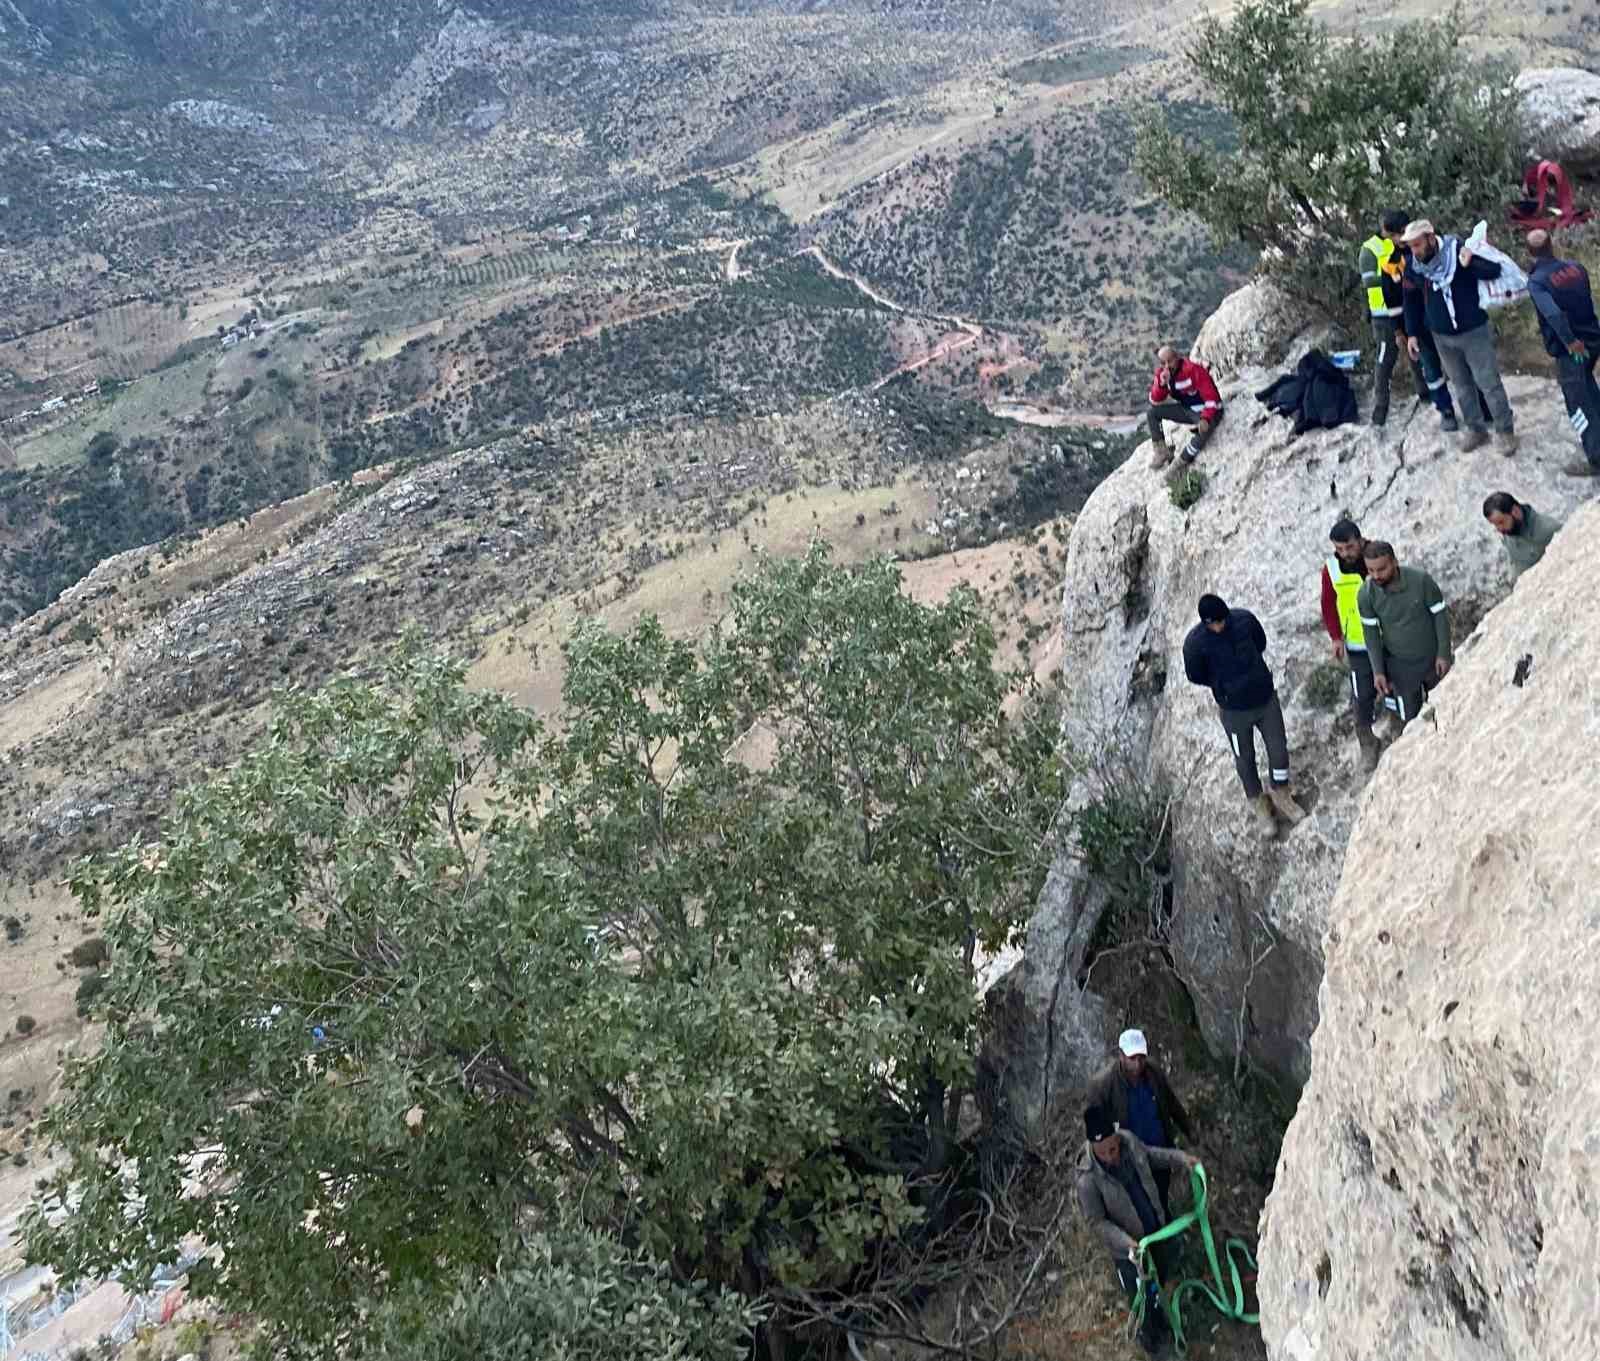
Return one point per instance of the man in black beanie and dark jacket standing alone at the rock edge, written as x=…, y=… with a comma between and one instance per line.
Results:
x=1225, y=652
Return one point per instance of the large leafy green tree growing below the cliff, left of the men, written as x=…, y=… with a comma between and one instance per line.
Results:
x=425, y=981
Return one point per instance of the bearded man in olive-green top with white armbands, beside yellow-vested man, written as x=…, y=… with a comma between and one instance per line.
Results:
x=1407, y=629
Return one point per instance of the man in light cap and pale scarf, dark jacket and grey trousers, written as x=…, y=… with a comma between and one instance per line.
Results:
x=1442, y=295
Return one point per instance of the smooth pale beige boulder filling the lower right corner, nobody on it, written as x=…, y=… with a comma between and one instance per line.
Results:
x=1439, y=1191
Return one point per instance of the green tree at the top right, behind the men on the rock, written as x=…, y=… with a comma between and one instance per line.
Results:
x=1332, y=132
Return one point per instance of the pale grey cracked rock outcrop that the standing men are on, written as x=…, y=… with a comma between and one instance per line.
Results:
x=1247, y=916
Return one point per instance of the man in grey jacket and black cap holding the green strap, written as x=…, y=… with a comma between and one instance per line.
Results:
x=1121, y=1203
